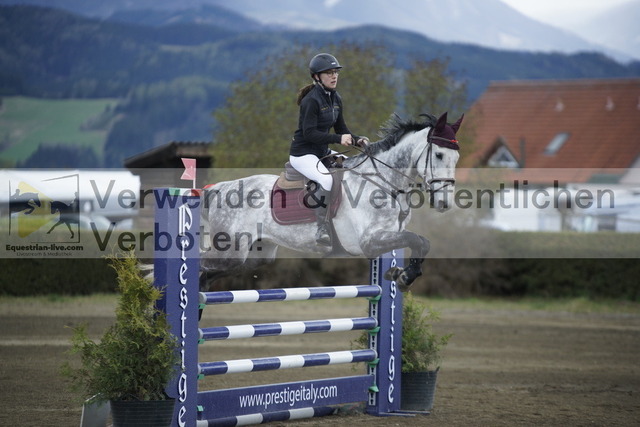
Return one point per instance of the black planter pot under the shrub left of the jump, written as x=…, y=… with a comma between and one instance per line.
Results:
x=139, y=413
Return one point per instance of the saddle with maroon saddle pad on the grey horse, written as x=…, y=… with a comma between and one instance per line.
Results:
x=291, y=194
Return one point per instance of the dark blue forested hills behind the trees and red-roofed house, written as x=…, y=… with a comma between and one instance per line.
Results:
x=171, y=77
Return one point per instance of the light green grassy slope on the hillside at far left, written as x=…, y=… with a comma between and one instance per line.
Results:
x=25, y=123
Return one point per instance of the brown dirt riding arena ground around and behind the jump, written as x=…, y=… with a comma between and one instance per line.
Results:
x=508, y=364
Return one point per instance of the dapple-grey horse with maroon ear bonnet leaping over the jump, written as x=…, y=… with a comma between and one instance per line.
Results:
x=371, y=220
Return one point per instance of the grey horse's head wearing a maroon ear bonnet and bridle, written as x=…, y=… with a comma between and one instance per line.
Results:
x=440, y=163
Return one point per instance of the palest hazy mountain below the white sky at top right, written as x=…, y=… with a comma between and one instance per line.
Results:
x=489, y=23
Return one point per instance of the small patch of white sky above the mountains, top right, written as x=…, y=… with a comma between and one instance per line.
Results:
x=562, y=12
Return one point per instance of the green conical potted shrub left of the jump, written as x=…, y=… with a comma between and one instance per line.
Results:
x=137, y=355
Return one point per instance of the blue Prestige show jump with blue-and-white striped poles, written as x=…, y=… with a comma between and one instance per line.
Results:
x=176, y=269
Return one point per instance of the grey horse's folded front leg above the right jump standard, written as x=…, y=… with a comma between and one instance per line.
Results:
x=384, y=241
